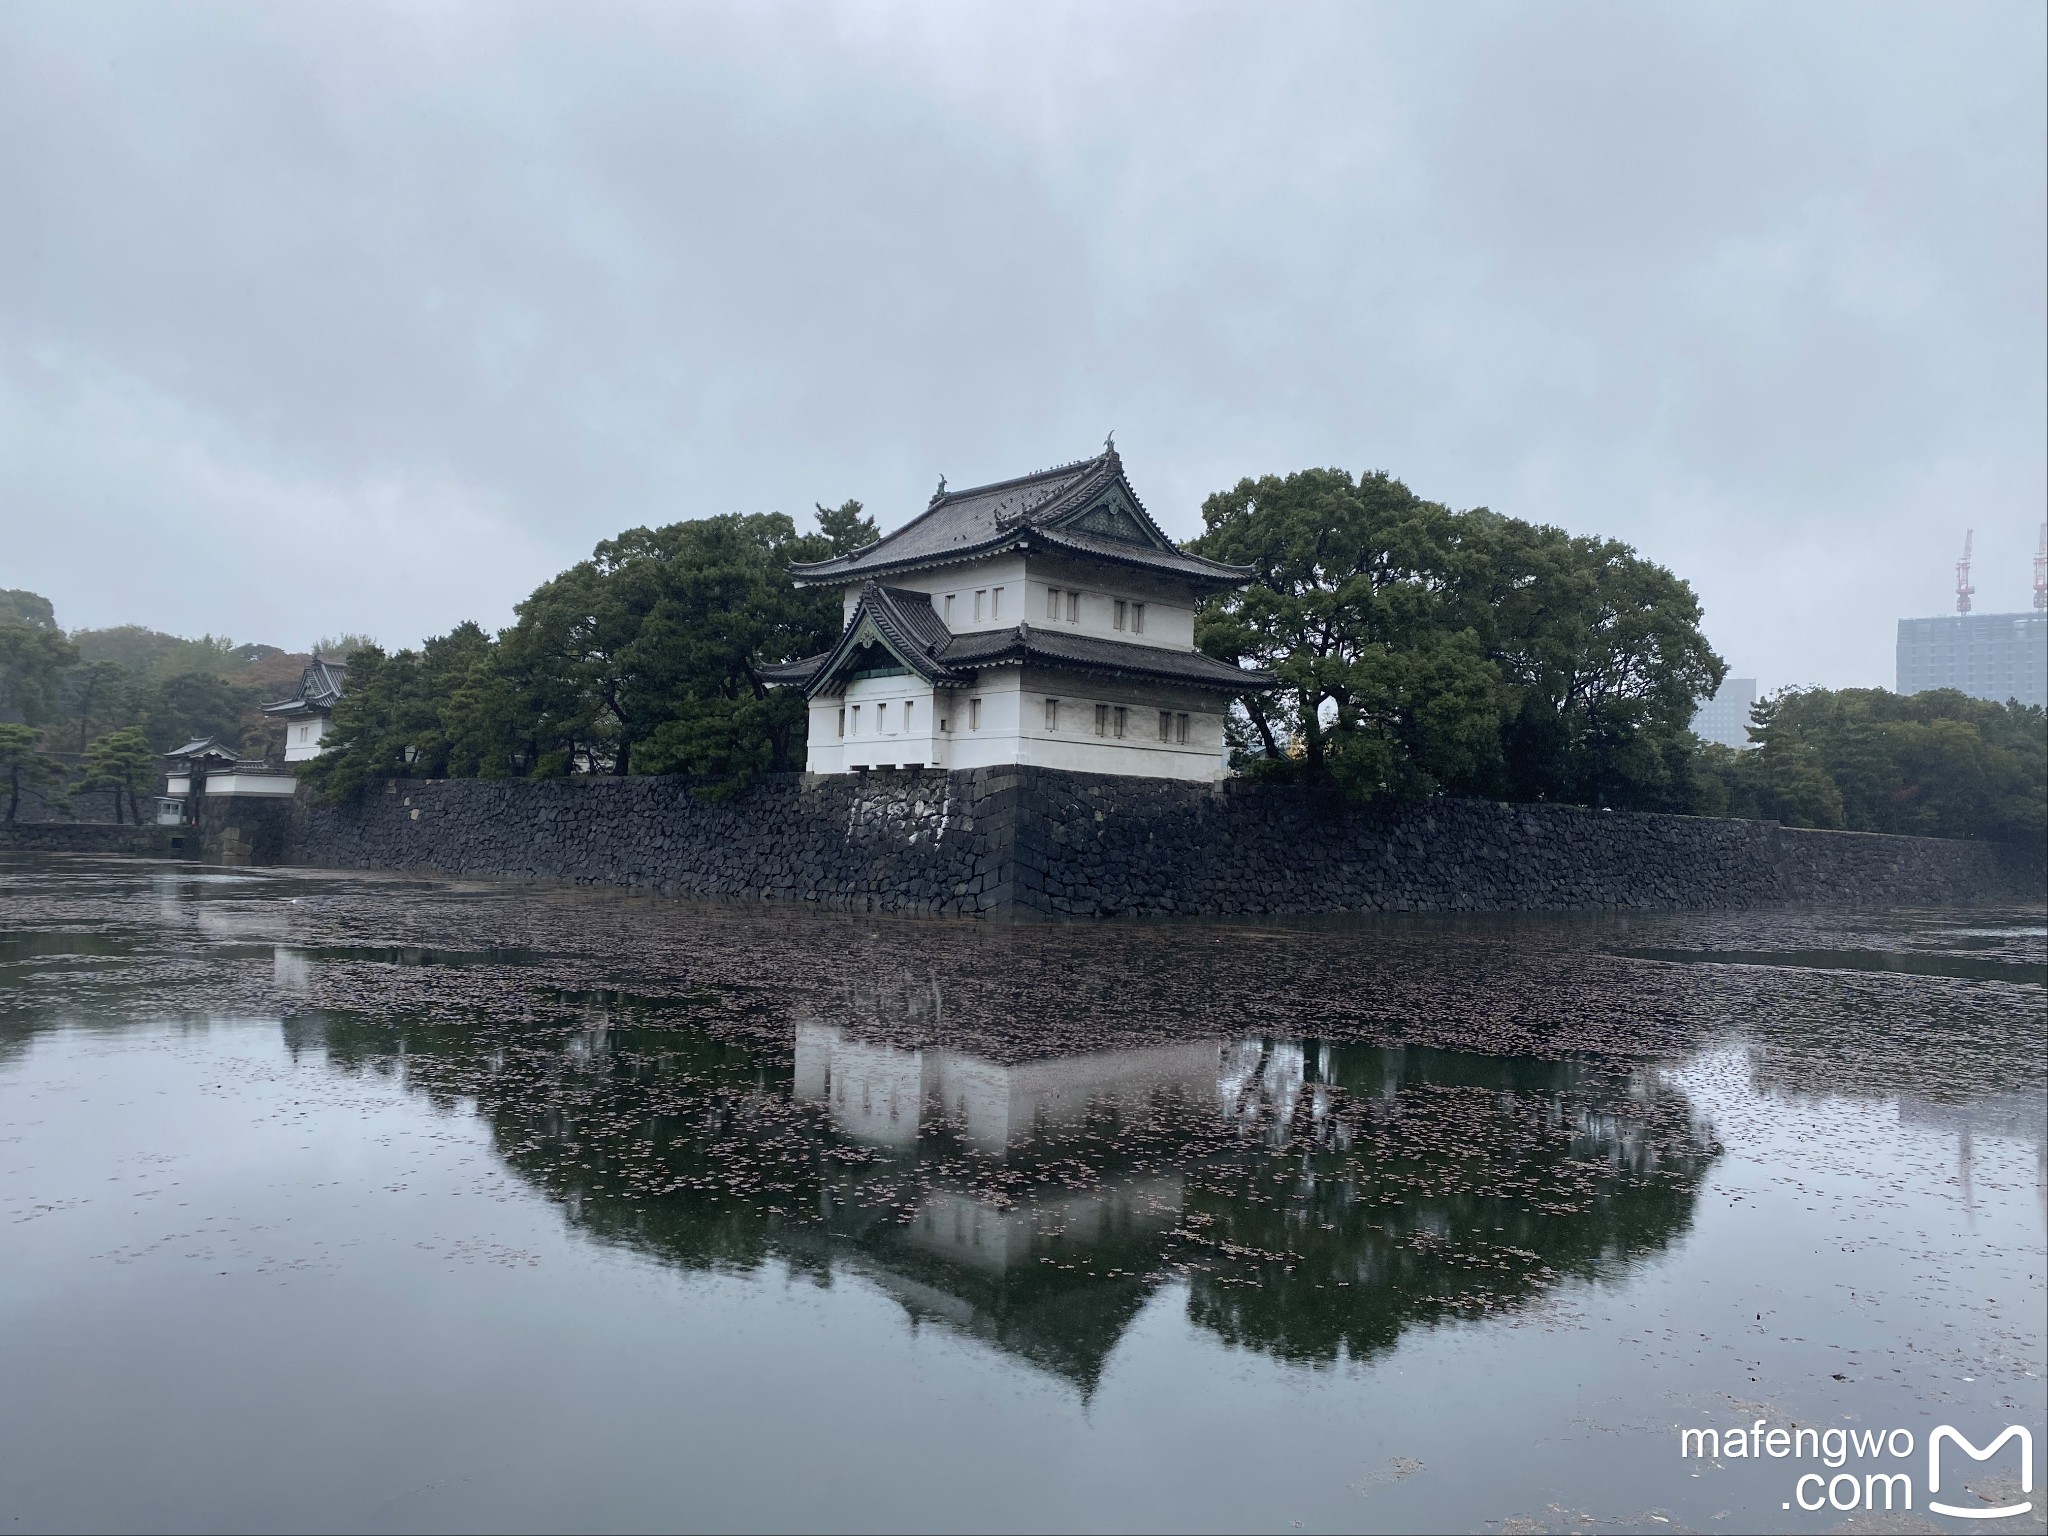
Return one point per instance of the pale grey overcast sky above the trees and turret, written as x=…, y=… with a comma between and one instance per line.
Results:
x=370, y=318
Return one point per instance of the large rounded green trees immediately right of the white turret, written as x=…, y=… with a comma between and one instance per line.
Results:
x=1435, y=652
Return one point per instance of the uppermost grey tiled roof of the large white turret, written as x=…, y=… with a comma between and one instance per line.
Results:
x=1023, y=513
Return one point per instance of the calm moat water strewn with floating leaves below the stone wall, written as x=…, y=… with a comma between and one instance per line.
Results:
x=372, y=1203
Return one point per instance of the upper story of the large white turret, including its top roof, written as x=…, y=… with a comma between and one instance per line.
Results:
x=1066, y=550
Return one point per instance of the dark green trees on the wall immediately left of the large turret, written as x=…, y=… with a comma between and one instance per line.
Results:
x=638, y=660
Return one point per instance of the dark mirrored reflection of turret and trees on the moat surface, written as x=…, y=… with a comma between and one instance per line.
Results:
x=1318, y=1199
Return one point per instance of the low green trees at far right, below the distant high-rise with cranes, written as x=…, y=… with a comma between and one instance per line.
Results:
x=1936, y=765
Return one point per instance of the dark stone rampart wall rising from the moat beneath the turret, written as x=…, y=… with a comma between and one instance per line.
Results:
x=1031, y=841
